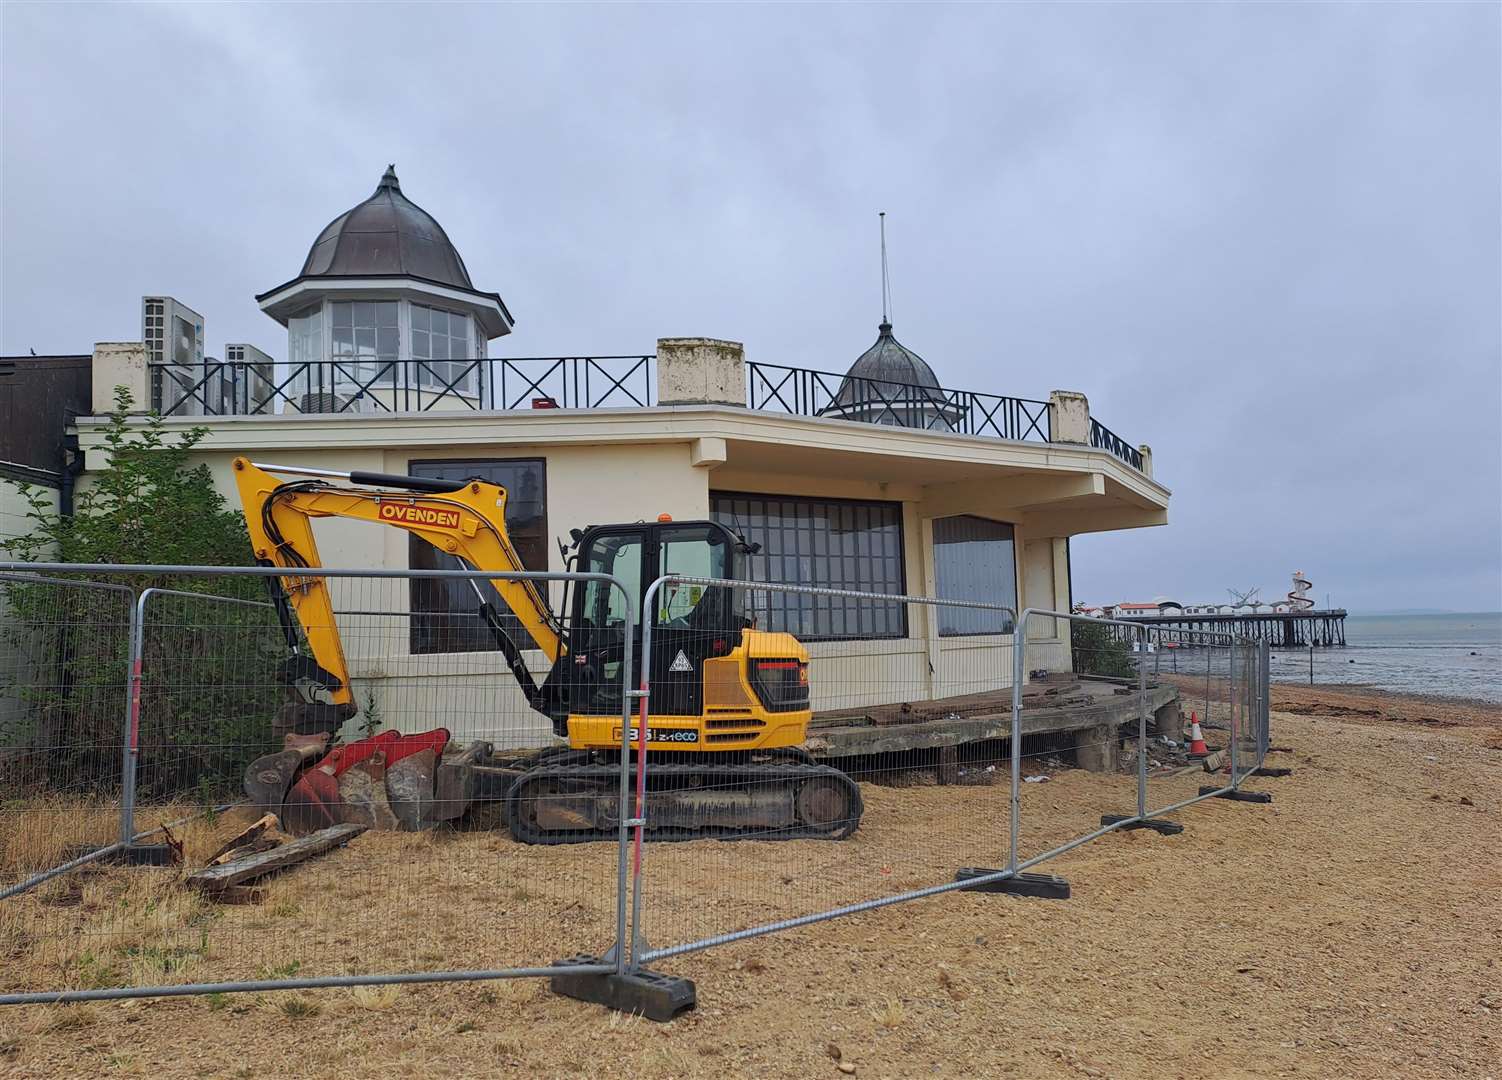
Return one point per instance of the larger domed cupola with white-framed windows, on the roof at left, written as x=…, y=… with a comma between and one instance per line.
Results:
x=384, y=315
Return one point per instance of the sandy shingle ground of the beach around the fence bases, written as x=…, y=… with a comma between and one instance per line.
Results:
x=1353, y=929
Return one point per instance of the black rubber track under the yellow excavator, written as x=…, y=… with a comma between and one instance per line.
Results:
x=713, y=776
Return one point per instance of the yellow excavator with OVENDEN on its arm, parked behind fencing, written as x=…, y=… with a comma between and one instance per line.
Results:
x=729, y=704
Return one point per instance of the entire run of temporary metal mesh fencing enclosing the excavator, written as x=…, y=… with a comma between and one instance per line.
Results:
x=964, y=737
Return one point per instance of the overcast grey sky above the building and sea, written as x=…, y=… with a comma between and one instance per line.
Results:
x=1265, y=240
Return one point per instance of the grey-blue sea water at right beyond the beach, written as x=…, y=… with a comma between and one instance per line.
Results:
x=1446, y=656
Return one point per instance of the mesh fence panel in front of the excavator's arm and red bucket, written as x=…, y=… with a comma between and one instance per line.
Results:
x=213, y=693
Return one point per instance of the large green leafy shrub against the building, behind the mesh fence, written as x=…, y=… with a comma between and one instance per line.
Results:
x=208, y=689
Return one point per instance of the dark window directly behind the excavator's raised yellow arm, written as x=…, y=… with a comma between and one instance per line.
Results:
x=445, y=614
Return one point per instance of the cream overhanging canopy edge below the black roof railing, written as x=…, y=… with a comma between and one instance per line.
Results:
x=1054, y=489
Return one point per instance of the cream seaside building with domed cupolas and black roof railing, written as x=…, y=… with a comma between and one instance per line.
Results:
x=857, y=480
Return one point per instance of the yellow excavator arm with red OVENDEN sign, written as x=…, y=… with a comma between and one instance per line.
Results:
x=465, y=520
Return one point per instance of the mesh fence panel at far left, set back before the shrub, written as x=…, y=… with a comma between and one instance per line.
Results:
x=64, y=675
